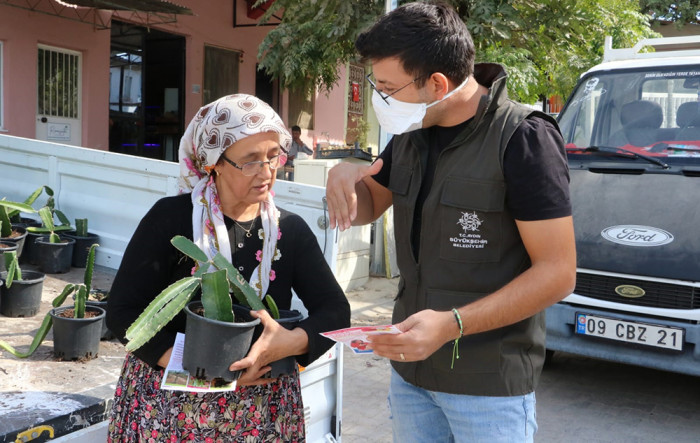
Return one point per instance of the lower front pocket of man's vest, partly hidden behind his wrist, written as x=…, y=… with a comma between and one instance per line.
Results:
x=478, y=353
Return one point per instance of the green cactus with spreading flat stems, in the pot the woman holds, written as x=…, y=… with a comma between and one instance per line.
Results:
x=215, y=285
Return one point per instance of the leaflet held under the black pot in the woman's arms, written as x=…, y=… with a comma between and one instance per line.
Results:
x=175, y=378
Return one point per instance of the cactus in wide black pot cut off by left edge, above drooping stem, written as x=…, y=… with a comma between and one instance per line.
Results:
x=20, y=295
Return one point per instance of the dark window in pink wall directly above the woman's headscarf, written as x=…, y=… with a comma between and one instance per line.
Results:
x=220, y=73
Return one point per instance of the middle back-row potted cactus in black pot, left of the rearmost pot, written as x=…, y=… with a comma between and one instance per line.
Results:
x=54, y=254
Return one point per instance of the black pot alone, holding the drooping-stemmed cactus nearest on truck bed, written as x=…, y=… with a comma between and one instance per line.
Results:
x=77, y=338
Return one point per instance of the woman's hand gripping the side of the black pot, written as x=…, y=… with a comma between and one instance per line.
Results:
x=275, y=343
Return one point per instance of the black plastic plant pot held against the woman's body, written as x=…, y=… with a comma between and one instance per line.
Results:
x=211, y=346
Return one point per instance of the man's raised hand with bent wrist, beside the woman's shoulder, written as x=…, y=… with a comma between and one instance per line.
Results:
x=341, y=194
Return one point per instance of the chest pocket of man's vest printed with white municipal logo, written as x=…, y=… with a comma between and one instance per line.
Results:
x=471, y=213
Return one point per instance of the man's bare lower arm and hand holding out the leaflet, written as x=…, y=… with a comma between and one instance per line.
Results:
x=552, y=276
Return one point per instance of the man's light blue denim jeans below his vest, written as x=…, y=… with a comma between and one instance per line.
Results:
x=419, y=415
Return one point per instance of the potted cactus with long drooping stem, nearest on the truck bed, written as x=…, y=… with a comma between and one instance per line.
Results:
x=76, y=328
